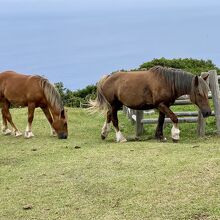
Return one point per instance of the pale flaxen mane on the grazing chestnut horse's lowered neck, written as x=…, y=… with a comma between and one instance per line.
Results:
x=51, y=93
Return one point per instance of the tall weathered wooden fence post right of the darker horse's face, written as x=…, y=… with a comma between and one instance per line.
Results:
x=214, y=87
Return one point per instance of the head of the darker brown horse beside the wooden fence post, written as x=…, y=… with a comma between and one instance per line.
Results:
x=199, y=95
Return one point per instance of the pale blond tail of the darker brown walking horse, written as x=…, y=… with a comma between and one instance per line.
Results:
x=100, y=103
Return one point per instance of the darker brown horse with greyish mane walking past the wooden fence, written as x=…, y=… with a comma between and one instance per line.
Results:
x=157, y=88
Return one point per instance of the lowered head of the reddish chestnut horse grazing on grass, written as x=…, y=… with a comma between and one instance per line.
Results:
x=60, y=125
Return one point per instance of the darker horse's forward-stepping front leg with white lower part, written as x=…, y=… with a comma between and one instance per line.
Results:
x=175, y=132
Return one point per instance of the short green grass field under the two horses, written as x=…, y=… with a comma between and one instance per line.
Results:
x=84, y=177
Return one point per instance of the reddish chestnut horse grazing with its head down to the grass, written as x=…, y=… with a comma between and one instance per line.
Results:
x=33, y=92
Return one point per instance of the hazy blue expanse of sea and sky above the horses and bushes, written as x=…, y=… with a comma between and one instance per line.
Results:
x=76, y=42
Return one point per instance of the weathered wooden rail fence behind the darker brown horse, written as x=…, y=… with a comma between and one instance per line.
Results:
x=137, y=116
